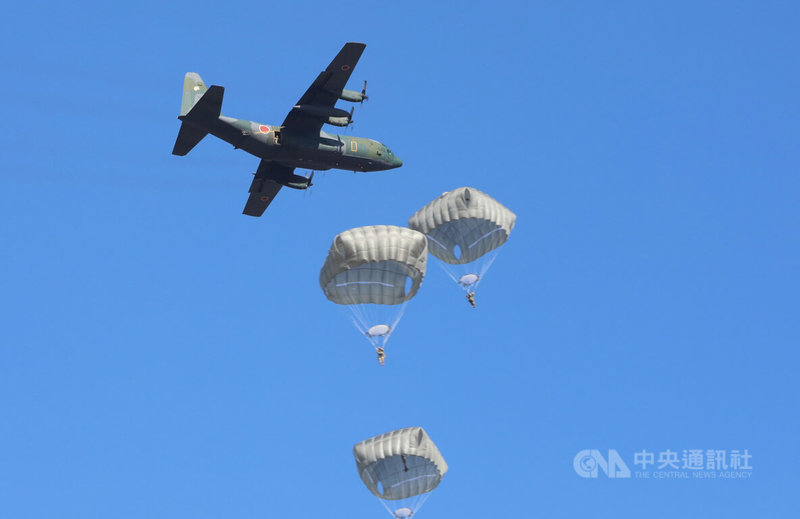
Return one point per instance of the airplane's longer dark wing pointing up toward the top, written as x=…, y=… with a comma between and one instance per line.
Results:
x=325, y=90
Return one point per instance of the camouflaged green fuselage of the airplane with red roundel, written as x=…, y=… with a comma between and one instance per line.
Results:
x=303, y=150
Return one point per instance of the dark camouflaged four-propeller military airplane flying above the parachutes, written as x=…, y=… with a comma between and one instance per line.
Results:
x=297, y=143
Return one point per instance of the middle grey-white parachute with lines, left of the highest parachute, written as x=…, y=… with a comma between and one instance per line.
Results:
x=374, y=271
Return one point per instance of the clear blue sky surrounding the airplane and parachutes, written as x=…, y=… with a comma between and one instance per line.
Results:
x=164, y=356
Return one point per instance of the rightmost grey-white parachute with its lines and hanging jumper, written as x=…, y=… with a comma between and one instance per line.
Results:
x=465, y=228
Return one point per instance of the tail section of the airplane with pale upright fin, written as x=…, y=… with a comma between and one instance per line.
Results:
x=199, y=107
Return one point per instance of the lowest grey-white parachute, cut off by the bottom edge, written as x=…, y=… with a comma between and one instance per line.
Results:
x=400, y=468
